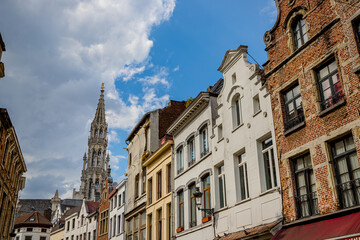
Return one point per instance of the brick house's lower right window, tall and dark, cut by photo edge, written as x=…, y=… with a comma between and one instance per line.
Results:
x=347, y=171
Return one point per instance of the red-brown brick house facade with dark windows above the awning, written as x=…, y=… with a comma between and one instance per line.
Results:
x=313, y=78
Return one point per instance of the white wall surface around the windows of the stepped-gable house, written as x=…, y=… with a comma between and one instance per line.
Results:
x=262, y=206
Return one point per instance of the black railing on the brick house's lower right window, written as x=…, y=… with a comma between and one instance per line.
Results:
x=349, y=193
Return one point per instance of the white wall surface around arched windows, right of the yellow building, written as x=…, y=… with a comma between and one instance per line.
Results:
x=193, y=173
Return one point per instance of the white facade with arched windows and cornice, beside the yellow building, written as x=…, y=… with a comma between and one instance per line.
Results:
x=192, y=132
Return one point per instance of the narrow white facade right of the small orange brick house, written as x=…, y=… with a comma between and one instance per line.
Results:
x=117, y=211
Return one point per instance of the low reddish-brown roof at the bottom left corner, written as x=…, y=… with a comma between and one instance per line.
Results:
x=34, y=219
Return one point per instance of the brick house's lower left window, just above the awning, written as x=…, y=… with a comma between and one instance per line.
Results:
x=306, y=195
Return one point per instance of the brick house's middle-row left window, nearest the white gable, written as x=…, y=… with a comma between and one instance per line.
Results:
x=294, y=113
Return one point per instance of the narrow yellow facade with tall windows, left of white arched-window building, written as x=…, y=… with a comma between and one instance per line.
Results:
x=159, y=187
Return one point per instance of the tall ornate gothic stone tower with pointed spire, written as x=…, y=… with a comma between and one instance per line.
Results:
x=96, y=168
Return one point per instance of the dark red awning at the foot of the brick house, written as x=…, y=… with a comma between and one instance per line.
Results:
x=339, y=228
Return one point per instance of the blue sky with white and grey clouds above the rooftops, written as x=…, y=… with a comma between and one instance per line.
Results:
x=147, y=52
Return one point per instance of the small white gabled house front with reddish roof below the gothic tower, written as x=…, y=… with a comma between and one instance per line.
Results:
x=82, y=224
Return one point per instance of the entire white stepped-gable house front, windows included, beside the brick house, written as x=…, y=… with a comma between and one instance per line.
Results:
x=246, y=175
